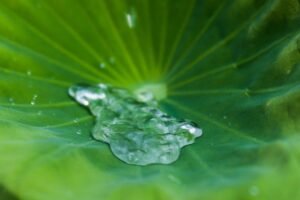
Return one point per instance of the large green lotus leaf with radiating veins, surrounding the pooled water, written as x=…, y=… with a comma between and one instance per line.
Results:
x=231, y=66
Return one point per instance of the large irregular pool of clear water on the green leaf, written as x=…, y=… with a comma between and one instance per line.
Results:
x=137, y=131
